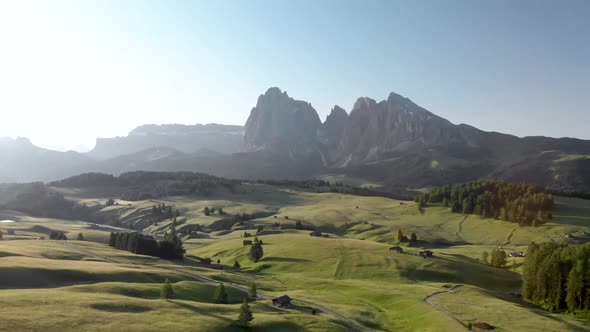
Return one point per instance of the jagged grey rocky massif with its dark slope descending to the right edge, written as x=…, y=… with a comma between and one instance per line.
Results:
x=399, y=143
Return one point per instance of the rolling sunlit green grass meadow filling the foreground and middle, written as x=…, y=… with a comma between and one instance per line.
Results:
x=91, y=286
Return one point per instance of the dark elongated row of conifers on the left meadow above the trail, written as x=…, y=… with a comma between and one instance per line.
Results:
x=169, y=248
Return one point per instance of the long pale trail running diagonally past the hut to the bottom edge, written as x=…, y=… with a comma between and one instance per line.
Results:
x=242, y=289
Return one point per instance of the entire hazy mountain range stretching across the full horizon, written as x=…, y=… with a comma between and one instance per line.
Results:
x=393, y=141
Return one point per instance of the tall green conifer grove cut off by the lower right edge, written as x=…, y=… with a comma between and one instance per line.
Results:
x=558, y=276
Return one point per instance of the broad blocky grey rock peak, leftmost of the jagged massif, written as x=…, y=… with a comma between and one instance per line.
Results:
x=282, y=125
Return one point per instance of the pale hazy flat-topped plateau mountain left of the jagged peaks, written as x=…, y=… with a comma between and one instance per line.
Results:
x=184, y=138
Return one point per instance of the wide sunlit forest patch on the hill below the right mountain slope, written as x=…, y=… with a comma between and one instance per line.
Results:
x=521, y=203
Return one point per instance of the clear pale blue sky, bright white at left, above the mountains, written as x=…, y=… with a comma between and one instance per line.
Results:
x=71, y=71
